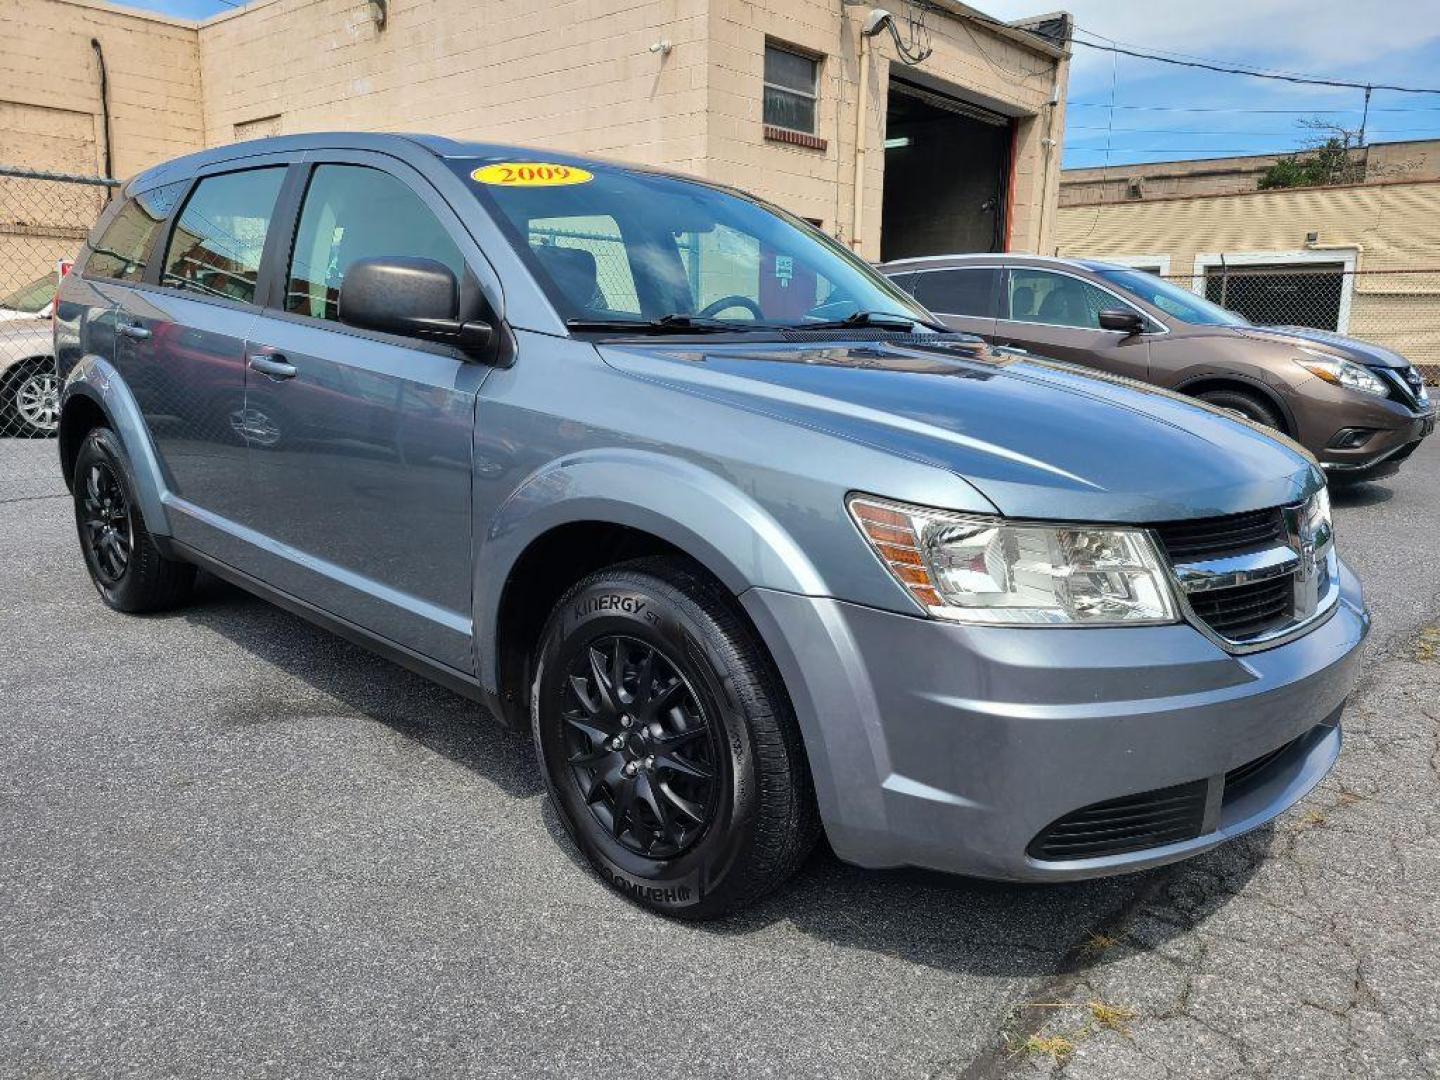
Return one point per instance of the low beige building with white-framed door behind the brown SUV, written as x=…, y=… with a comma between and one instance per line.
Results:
x=1360, y=258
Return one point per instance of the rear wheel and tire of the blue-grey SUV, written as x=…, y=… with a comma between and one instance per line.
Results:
x=127, y=568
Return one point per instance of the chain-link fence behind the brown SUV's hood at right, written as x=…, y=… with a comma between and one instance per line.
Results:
x=1395, y=309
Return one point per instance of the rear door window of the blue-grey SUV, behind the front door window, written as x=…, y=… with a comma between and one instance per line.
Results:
x=217, y=246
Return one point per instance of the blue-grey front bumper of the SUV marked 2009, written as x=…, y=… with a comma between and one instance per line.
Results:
x=953, y=748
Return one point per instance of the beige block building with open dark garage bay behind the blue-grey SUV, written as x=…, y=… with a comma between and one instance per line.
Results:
x=683, y=84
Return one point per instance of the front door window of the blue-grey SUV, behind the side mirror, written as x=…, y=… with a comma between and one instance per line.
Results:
x=352, y=214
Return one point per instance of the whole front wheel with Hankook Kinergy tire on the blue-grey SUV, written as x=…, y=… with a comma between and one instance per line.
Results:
x=667, y=744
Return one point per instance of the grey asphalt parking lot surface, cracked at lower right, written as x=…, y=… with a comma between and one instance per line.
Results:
x=234, y=846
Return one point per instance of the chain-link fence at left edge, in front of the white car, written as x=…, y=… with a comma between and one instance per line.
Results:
x=44, y=221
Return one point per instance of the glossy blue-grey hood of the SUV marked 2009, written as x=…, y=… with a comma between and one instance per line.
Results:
x=1038, y=438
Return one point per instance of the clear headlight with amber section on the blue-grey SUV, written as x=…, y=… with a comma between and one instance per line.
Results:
x=987, y=571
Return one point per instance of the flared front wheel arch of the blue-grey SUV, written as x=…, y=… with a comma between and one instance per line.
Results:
x=696, y=510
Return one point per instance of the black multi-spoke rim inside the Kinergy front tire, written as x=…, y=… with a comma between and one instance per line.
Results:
x=640, y=747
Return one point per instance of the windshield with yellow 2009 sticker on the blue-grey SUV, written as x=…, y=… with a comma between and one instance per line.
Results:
x=616, y=246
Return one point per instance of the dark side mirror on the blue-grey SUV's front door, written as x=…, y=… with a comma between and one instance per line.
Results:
x=411, y=297
